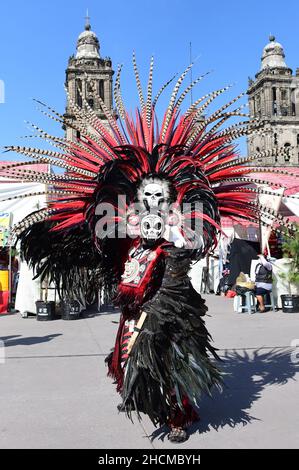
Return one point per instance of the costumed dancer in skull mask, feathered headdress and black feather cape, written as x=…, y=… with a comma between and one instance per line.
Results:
x=137, y=205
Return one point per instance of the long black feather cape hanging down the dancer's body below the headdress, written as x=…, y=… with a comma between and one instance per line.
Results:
x=171, y=354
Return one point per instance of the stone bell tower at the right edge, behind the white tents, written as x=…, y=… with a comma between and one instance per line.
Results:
x=274, y=99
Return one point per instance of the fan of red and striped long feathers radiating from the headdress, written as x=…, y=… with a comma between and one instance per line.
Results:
x=193, y=142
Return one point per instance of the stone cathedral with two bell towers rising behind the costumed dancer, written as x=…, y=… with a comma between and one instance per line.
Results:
x=273, y=96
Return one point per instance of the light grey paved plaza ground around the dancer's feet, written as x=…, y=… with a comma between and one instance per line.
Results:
x=55, y=393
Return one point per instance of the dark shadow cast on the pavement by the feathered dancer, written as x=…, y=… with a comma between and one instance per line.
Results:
x=246, y=376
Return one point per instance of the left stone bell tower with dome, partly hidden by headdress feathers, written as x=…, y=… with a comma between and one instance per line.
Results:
x=84, y=67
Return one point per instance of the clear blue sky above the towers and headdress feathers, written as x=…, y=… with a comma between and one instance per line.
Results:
x=36, y=39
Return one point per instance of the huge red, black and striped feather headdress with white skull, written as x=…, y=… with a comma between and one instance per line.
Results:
x=192, y=155
